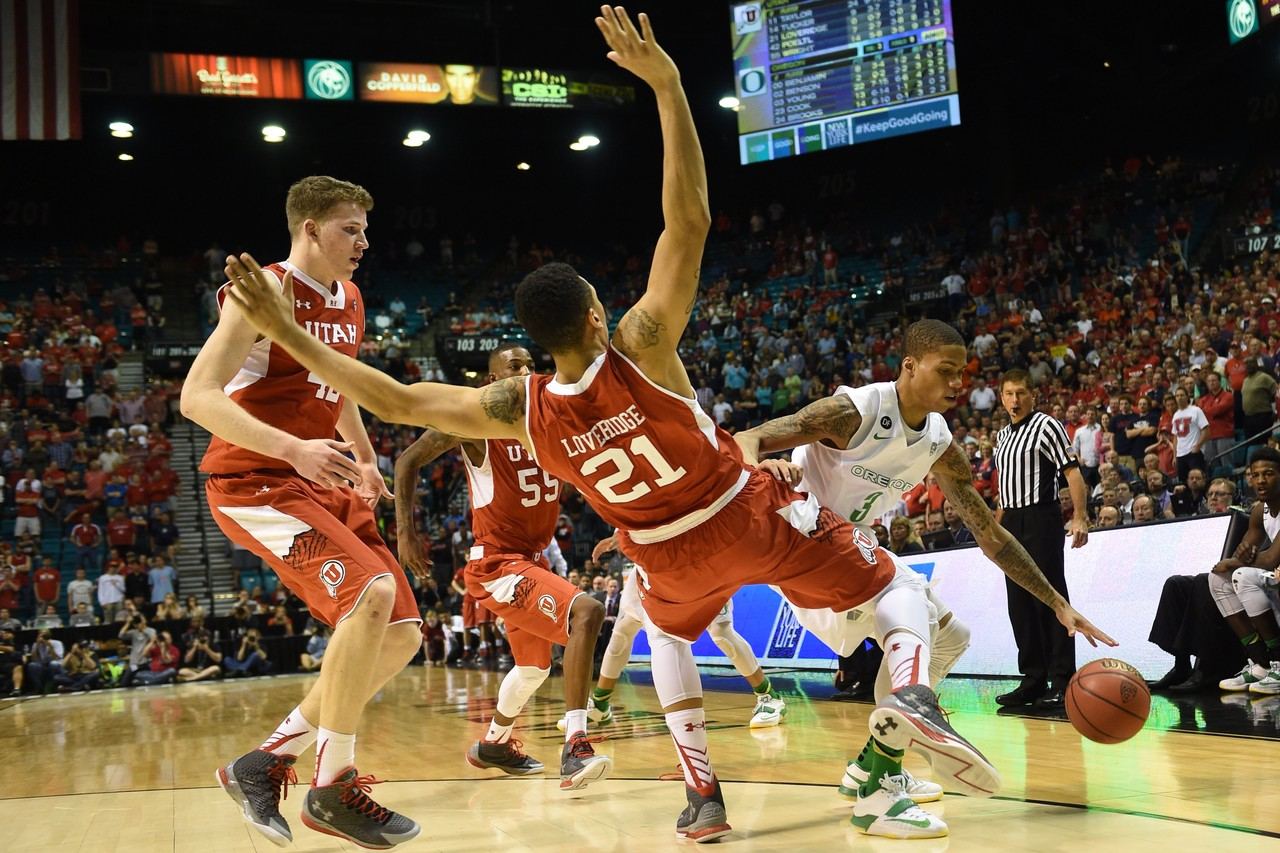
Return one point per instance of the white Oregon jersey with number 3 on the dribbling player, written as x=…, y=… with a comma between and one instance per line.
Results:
x=885, y=458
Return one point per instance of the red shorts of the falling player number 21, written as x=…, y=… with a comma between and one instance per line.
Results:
x=767, y=535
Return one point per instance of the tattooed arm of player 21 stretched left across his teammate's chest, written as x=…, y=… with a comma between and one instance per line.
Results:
x=493, y=412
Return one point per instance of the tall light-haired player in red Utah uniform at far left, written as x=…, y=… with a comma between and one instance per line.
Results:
x=280, y=487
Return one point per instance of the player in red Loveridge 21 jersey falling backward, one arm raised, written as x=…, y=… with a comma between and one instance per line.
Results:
x=620, y=422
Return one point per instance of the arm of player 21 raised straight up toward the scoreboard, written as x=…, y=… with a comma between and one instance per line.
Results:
x=651, y=331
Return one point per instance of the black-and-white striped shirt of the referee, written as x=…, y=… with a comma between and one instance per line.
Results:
x=1028, y=459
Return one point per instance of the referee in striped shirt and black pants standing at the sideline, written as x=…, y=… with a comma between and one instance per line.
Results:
x=1031, y=453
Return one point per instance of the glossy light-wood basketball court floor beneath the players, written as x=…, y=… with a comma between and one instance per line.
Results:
x=135, y=772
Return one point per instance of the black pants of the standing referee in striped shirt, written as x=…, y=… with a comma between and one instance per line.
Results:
x=1045, y=653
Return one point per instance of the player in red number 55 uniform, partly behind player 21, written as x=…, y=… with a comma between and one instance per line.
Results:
x=514, y=512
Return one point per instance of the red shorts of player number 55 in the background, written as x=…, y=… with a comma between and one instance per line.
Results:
x=532, y=600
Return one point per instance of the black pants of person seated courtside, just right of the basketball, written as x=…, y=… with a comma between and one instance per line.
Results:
x=1188, y=623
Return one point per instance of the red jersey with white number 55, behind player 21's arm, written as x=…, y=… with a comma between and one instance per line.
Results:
x=515, y=504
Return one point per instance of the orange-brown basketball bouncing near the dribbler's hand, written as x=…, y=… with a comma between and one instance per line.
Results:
x=1108, y=701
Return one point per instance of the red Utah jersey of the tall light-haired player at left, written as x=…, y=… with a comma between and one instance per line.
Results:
x=273, y=387
